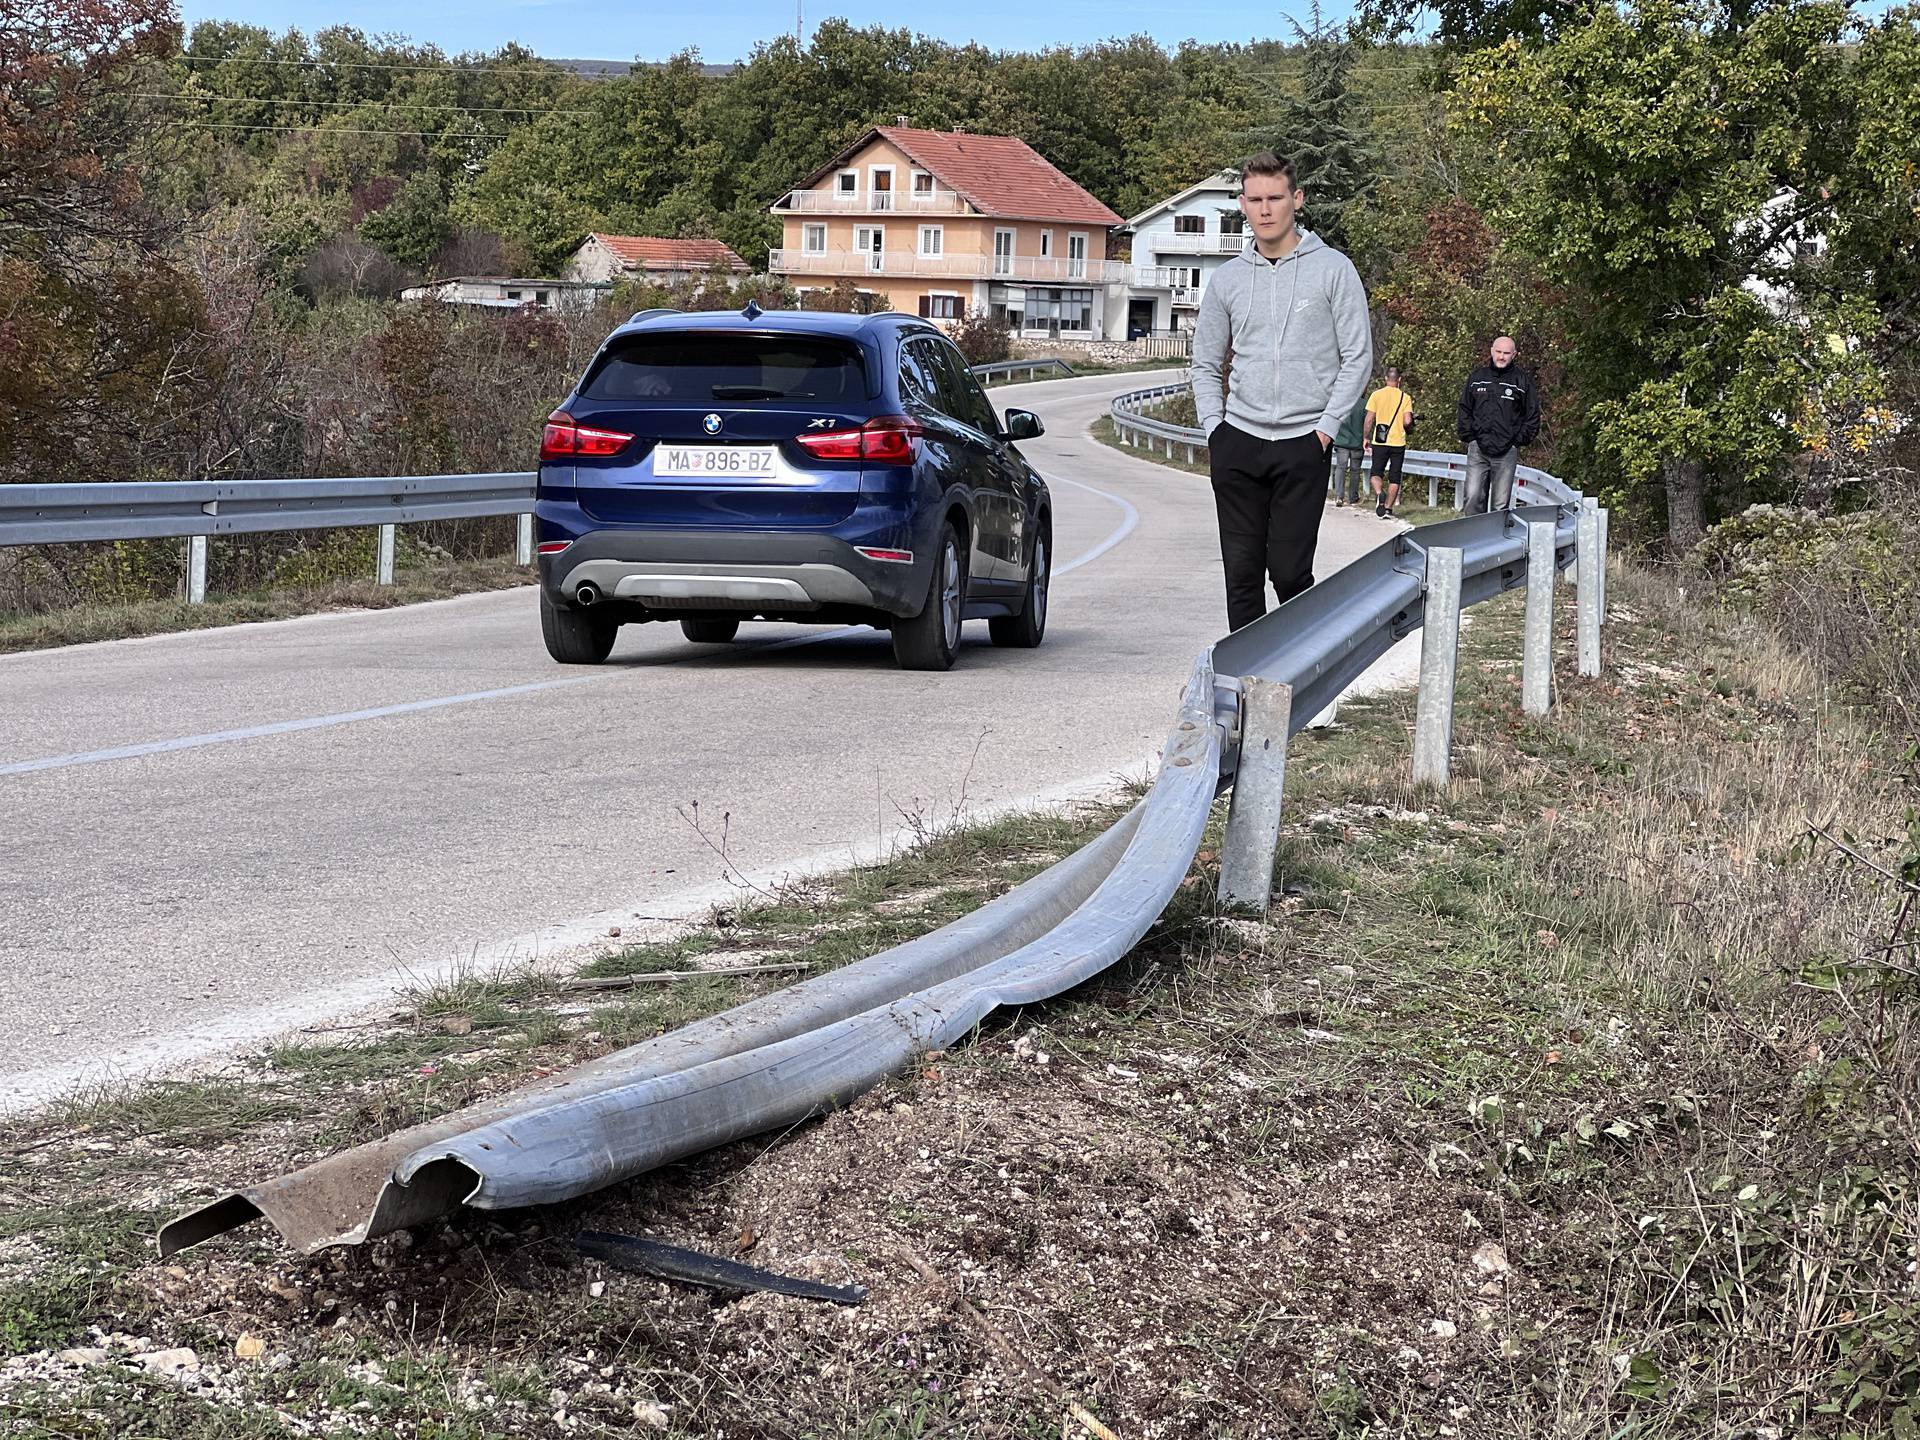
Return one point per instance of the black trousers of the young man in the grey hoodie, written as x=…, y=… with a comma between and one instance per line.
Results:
x=1270, y=496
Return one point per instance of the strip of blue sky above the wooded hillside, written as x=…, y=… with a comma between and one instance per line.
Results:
x=729, y=30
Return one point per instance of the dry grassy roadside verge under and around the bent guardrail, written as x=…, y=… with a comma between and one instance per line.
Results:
x=1577, y=1101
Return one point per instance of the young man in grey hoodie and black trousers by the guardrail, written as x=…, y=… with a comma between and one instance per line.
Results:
x=1285, y=325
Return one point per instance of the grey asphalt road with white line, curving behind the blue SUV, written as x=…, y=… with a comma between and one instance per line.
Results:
x=212, y=838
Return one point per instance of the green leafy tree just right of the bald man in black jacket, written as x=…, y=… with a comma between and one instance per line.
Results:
x=1656, y=158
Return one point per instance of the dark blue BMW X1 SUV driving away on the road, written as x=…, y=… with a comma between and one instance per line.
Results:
x=805, y=468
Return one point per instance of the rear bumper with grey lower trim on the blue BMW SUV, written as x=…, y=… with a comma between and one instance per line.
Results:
x=738, y=571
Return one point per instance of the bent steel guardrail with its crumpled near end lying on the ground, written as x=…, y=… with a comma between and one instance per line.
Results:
x=815, y=1045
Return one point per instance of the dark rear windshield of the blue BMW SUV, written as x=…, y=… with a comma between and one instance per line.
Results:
x=704, y=366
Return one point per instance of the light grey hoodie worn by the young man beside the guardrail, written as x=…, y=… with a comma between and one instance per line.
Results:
x=1299, y=337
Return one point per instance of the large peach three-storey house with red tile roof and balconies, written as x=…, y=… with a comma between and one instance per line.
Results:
x=942, y=224
